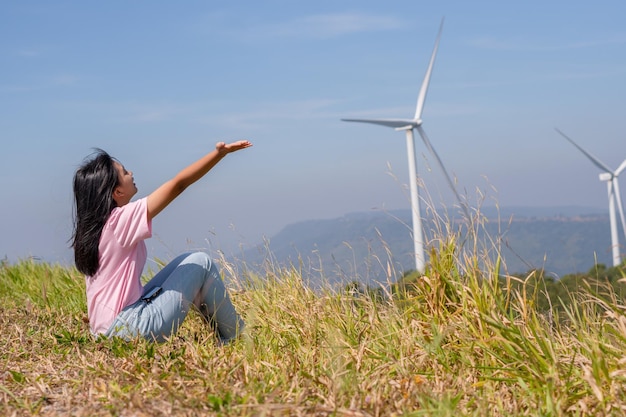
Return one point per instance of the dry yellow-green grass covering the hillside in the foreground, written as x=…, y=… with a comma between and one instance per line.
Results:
x=455, y=342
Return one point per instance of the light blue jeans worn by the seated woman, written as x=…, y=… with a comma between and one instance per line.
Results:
x=190, y=279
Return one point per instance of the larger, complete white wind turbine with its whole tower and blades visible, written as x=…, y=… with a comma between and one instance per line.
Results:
x=408, y=125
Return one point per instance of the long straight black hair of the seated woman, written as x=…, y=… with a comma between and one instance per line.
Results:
x=94, y=183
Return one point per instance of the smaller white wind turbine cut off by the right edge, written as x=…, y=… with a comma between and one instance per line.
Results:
x=610, y=177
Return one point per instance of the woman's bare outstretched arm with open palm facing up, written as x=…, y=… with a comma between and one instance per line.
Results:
x=166, y=193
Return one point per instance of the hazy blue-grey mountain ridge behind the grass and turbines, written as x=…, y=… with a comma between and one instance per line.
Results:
x=374, y=247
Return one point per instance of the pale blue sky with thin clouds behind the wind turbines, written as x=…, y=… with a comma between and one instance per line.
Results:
x=157, y=83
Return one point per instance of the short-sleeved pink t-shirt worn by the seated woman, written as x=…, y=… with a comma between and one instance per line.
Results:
x=123, y=255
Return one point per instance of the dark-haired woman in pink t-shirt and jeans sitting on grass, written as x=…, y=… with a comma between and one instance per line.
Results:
x=109, y=248
